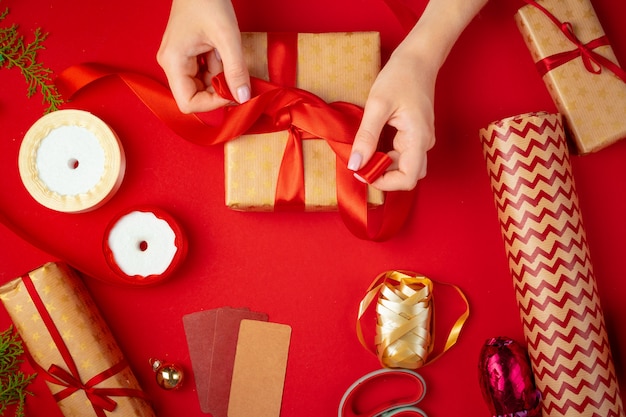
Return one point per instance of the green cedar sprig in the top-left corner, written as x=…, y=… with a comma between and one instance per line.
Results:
x=15, y=52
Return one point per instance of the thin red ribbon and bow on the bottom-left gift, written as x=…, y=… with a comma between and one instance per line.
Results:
x=98, y=397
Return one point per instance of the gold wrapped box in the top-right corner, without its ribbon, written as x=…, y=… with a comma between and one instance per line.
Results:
x=592, y=104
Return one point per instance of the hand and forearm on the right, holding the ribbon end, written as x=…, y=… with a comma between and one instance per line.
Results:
x=403, y=94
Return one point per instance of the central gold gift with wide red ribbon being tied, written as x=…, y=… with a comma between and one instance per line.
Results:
x=294, y=117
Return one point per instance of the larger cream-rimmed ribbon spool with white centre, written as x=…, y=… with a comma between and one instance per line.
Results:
x=71, y=161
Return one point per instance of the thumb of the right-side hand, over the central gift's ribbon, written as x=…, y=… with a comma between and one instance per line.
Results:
x=367, y=136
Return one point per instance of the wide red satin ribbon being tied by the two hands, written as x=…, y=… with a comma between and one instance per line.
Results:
x=272, y=108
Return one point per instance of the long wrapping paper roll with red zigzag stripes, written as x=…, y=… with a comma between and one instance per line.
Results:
x=546, y=245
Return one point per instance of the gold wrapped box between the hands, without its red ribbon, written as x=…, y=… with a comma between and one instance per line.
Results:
x=333, y=66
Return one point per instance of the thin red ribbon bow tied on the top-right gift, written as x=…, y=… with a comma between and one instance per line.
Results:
x=592, y=61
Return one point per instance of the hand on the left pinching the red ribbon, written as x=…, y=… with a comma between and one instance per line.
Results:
x=195, y=32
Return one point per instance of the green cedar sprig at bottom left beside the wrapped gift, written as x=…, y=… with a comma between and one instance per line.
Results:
x=13, y=382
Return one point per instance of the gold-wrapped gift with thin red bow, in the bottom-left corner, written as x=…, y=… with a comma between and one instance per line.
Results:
x=59, y=323
